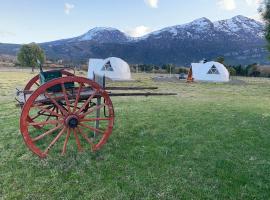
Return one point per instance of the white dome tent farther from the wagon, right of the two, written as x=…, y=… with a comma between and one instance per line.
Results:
x=209, y=71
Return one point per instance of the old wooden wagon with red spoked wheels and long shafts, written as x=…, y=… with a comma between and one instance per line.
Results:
x=57, y=104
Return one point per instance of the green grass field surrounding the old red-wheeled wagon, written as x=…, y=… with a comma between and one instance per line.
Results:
x=211, y=141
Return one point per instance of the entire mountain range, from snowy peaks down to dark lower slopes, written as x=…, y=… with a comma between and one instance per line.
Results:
x=239, y=39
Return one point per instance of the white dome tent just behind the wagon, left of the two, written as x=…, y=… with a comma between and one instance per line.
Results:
x=113, y=68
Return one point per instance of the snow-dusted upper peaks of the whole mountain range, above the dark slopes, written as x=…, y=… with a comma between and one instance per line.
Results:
x=235, y=26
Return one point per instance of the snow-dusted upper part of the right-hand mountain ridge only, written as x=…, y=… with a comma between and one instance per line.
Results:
x=239, y=27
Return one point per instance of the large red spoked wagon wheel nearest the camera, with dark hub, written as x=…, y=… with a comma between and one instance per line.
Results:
x=78, y=121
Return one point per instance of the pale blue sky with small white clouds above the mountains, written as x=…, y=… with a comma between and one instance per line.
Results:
x=24, y=21
